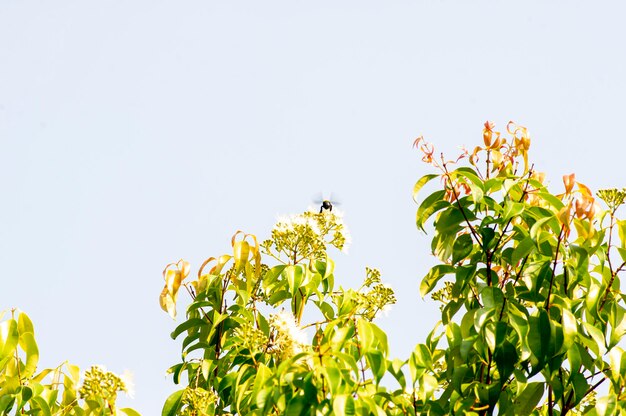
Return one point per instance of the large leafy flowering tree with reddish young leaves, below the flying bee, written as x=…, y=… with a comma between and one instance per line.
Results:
x=529, y=286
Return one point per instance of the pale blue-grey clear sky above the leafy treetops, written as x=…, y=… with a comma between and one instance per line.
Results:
x=134, y=134
